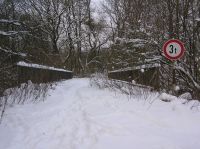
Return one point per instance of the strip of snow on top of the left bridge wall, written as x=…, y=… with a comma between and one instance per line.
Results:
x=24, y=64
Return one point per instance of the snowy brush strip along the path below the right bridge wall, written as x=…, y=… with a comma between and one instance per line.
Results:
x=137, y=91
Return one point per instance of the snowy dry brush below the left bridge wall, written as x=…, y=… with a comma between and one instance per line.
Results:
x=26, y=93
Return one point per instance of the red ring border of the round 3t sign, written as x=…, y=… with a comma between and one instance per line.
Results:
x=178, y=42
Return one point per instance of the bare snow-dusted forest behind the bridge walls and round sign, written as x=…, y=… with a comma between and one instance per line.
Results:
x=88, y=36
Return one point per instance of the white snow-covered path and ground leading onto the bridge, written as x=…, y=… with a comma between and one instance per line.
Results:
x=78, y=116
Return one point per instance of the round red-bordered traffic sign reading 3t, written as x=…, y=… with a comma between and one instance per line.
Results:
x=173, y=49
